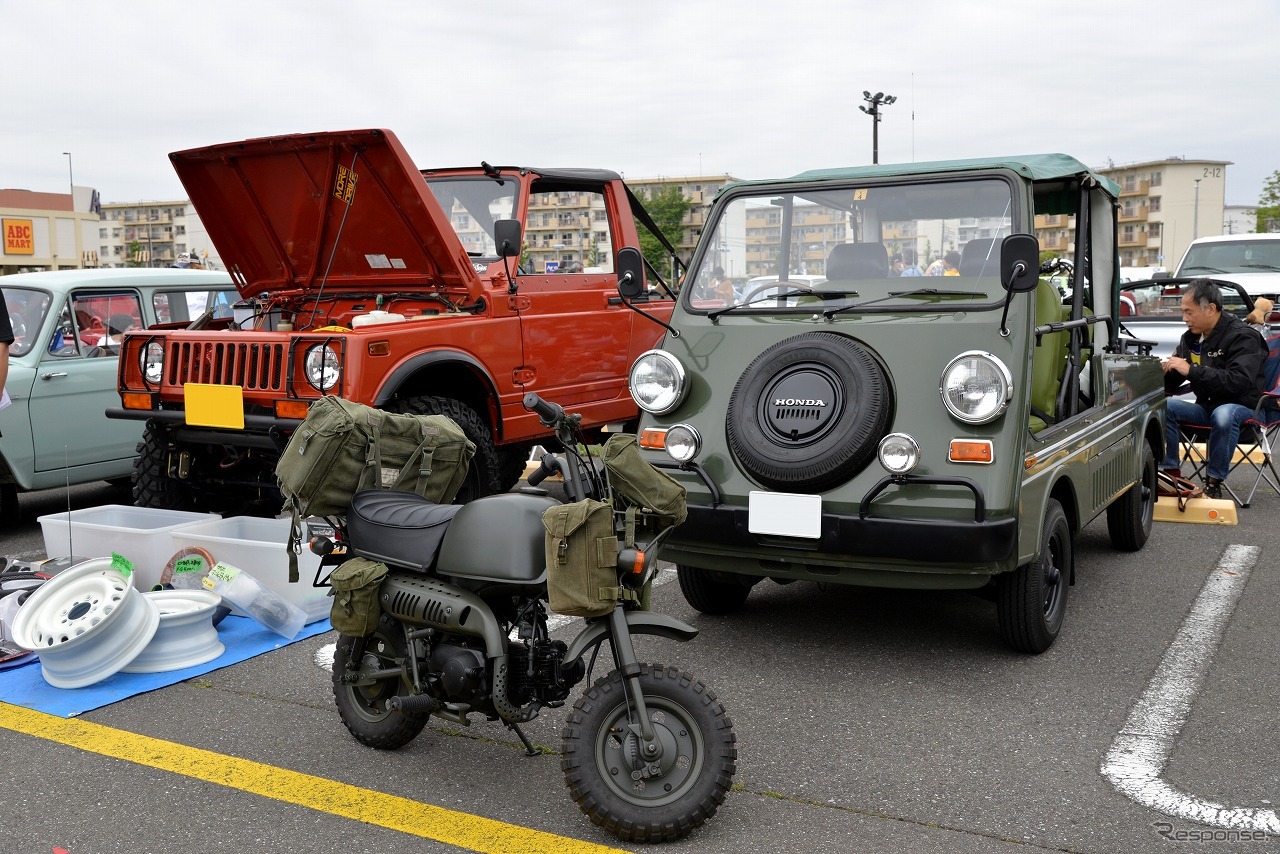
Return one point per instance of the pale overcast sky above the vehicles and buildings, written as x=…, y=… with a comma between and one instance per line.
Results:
x=755, y=89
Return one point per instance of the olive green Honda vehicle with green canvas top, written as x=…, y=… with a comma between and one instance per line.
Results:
x=948, y=424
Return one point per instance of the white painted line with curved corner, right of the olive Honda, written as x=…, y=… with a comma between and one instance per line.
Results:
x=1137, y=757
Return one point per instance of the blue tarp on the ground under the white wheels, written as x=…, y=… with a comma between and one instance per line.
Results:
x=241, y=637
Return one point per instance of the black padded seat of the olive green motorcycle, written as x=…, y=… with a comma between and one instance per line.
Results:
x=399, y=528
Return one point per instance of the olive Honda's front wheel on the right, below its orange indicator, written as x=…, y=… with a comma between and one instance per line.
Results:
x=1031, y=602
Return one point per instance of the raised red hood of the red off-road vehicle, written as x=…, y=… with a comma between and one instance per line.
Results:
x=277, y=208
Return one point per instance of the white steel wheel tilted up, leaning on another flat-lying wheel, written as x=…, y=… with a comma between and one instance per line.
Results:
x=86, y=624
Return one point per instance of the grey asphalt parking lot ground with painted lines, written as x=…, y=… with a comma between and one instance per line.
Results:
x=867, y=720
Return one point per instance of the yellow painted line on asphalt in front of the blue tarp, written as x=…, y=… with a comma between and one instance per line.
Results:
x=396, y=814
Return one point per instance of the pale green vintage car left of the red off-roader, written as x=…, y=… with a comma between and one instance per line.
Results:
x=63, y=364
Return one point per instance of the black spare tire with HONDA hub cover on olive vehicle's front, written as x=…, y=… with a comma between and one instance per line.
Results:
x=808, y=413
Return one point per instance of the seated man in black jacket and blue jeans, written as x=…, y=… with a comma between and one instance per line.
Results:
x=1223, y=359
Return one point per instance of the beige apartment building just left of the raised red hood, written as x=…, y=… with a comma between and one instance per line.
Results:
x=154, y=234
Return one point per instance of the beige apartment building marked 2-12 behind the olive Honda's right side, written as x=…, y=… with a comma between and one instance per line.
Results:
x=1164, y=207
